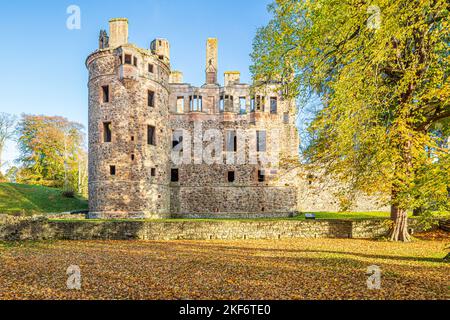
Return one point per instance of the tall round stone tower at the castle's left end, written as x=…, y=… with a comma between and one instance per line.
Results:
x=129, y=133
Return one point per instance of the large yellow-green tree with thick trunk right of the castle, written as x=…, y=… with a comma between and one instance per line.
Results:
x=380, y=70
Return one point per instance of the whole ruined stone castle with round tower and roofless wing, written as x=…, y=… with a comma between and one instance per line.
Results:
x=141, y=114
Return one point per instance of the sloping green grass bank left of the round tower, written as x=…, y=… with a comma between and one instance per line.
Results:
x=18, y=198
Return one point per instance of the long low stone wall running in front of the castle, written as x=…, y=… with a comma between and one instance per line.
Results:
x=40, y=228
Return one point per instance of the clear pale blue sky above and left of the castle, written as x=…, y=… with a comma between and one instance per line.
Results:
x=42, y=61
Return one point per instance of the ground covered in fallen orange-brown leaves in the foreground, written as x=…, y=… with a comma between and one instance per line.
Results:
x=285, y=269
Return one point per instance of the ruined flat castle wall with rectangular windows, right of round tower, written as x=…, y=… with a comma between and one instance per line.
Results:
x=203, y=189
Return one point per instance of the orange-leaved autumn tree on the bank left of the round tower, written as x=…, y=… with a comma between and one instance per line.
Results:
x=51, y=151
